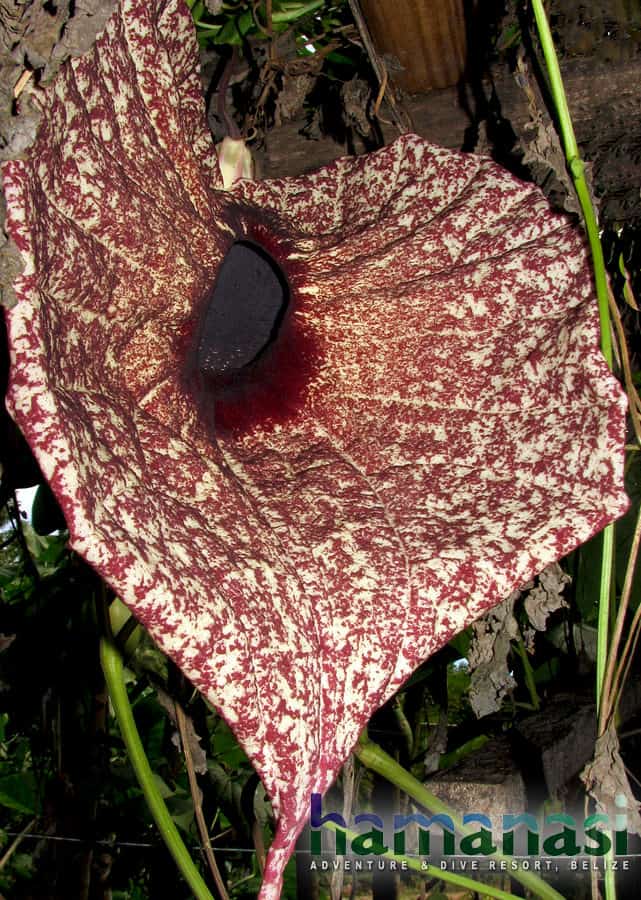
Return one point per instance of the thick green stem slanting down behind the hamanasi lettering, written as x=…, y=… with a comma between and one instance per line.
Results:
x=375, y=758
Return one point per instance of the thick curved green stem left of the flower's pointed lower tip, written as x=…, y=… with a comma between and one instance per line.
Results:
x=113, y=668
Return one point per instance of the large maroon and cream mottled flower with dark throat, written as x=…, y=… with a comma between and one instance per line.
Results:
x=427, y=423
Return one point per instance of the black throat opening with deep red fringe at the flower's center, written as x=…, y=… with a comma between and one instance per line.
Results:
x=250, y=359
